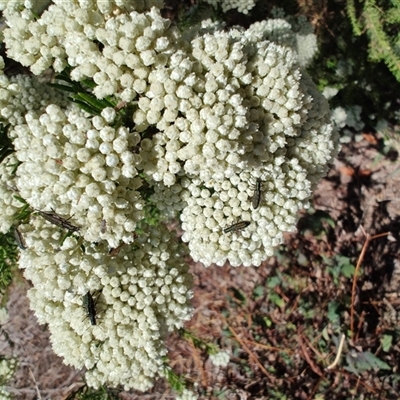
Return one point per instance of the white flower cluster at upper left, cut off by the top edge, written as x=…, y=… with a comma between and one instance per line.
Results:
x=117, y=51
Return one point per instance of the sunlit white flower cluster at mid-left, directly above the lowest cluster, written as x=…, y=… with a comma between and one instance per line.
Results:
x=82, y=168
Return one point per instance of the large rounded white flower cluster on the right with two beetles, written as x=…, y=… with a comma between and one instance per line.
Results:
x=236, y=114
